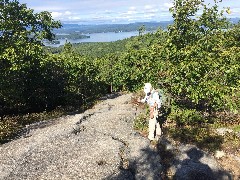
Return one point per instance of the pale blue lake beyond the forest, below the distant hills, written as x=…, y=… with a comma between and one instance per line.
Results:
x=99, y=37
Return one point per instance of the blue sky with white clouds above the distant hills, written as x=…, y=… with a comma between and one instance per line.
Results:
x=114, y=11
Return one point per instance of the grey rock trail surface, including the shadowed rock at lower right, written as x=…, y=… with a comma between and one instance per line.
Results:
x=97, y=144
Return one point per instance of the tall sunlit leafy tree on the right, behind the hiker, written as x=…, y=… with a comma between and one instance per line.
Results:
x=203, y=70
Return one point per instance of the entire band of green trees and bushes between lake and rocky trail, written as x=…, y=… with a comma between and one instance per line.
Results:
x=196, y=61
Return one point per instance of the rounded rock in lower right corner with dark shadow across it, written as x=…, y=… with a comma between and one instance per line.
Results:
x=189, y=162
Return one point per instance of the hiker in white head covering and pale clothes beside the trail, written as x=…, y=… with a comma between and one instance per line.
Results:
x=154, y=102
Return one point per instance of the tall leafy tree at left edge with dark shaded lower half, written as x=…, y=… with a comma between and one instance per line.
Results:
x=21, y=54
